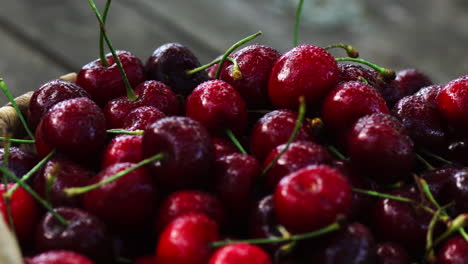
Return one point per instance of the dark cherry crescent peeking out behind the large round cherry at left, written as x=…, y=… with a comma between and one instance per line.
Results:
x=50, y=94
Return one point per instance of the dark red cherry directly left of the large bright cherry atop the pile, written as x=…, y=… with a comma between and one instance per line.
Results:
x=255, y=62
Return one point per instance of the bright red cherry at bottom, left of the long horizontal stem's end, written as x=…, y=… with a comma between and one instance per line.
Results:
x=185, y=240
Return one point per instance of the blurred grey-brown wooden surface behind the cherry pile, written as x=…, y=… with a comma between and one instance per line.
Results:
x=42, y=39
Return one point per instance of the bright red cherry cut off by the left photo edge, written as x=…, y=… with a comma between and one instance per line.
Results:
x=24, y=212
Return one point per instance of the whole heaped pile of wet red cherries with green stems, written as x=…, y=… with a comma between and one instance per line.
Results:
x=285, y=158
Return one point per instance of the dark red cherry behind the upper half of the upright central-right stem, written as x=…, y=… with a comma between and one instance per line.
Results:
x=274, y=129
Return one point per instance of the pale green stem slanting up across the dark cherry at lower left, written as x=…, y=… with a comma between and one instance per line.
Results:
x=81, y=190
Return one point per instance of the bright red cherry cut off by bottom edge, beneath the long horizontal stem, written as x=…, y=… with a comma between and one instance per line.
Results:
x=241, y=253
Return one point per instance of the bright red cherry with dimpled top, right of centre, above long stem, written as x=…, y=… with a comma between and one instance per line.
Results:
x=311, y=198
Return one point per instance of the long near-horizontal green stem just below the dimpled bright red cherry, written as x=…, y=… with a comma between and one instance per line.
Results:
x=328, y=229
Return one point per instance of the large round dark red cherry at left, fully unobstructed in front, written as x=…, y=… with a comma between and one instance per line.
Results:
x=75, y=127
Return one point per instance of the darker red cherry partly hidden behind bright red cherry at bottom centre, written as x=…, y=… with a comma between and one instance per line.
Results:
x=186, y=202
